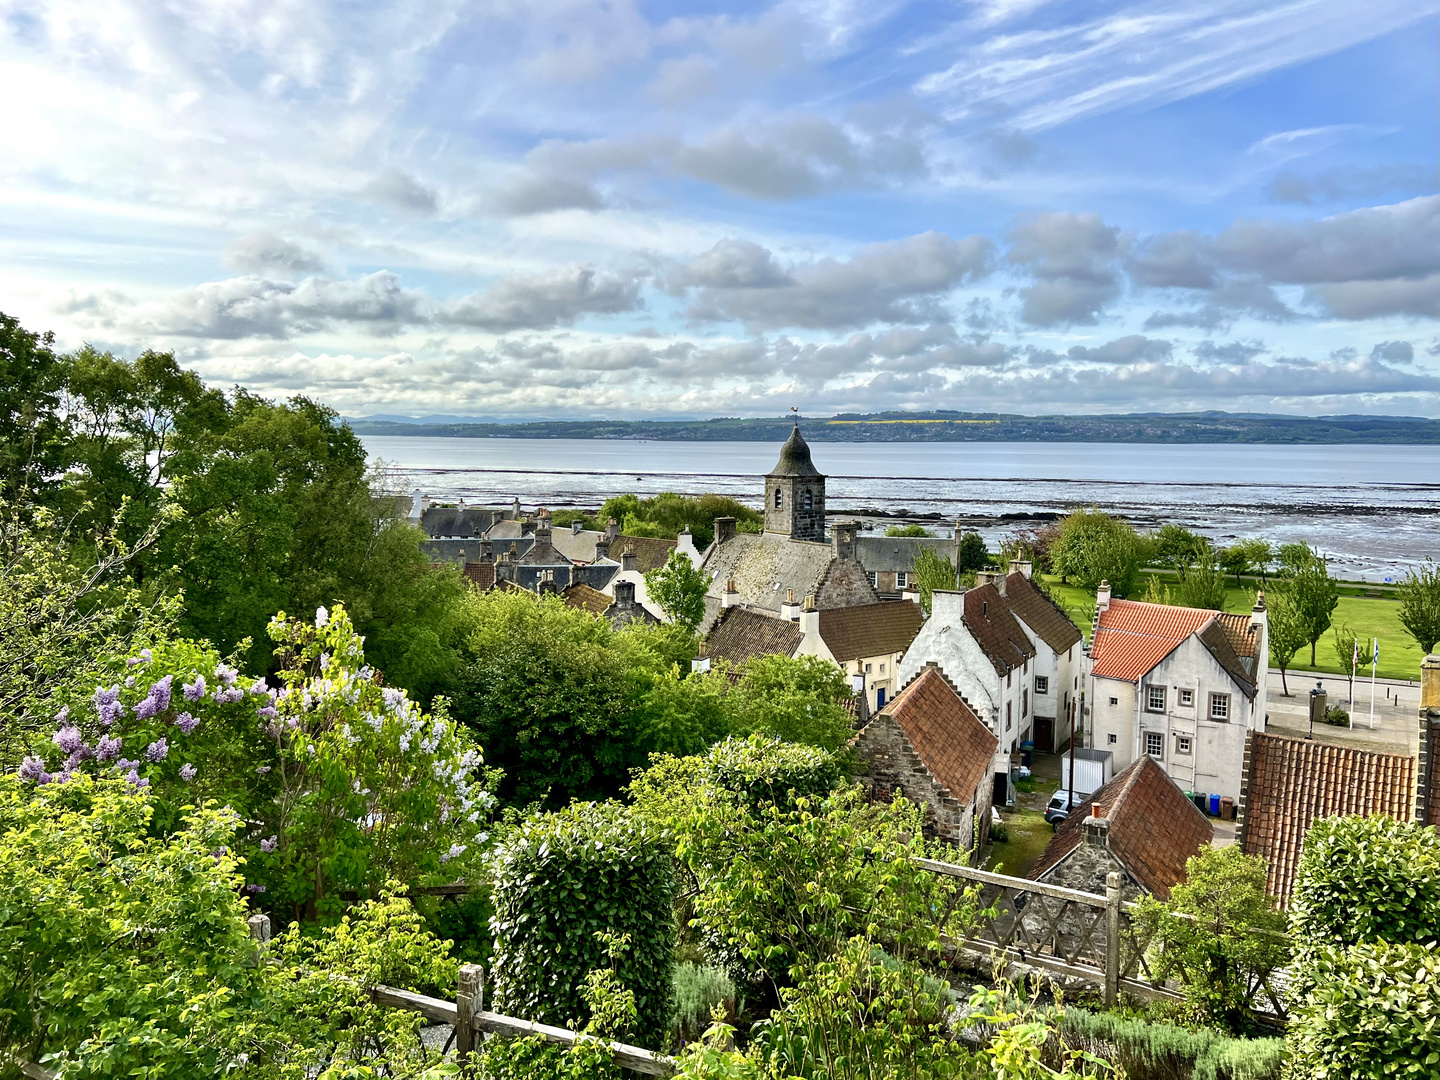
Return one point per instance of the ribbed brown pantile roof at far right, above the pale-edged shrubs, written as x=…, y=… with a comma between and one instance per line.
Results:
x=1291, y=783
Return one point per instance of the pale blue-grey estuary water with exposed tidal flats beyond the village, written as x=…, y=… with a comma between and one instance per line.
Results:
x=1373, y=510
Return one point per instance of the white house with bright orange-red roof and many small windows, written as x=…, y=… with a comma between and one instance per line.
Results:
x=1182, y=686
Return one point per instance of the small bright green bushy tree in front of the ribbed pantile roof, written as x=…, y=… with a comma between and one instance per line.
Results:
x=1220, y=934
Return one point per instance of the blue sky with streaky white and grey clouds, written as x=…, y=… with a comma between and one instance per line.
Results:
x=585, y=208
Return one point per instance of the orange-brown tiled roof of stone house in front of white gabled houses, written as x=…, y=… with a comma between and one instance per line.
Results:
x=955, y=747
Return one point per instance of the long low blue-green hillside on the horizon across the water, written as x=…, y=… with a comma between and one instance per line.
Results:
x=955, y=427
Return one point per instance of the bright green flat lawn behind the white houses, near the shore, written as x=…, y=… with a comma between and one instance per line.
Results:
x=1369, y=617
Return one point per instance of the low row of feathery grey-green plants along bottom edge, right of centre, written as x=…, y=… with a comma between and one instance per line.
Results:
x=1164, y=1052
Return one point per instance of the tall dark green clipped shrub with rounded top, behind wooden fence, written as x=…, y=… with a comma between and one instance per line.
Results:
x=561, y=881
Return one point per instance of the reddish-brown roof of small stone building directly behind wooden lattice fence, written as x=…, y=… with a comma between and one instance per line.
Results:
x=1154, y=829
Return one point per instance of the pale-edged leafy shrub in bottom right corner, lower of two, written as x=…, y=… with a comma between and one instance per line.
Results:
x=1373, y=1012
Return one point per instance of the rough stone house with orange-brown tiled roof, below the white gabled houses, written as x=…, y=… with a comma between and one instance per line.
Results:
x=930, y=745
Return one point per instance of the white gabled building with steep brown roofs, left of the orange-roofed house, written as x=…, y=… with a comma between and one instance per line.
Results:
x=1012, y=653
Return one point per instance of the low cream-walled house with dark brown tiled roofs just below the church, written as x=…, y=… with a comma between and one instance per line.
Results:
x=865, y=642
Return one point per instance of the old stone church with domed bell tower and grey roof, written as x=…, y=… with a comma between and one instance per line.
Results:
x=790, y=558
